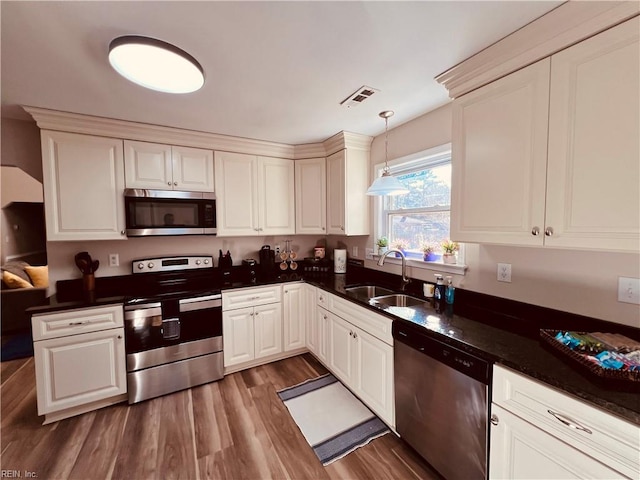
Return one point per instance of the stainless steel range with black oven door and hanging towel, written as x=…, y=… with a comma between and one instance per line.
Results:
x=173, y=330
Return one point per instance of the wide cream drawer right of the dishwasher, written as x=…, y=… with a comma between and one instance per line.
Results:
x=608, y=439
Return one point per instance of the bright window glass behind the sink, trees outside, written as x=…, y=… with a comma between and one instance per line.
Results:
x=422, y=216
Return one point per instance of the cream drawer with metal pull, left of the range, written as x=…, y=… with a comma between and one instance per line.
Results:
x=73, y=322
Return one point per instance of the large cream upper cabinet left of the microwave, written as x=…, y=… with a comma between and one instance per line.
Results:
x=83, y=181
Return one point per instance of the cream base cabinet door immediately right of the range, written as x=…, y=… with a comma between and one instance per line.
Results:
x=238, y=336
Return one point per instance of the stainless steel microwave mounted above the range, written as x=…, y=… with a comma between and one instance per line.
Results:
x=169, y=212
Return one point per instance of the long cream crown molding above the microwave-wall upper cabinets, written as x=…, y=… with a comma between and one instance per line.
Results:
x=106, y=127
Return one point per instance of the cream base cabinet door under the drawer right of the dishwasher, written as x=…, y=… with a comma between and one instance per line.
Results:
x=519, y=450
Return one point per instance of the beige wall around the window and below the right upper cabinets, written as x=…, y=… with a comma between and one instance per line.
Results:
x=582, y=282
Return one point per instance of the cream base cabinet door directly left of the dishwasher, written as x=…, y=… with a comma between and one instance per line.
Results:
x=374, y=377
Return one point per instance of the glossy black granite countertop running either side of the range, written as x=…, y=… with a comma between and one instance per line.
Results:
x=474, y=330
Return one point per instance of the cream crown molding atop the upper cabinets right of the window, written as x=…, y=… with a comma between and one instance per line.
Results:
x=569, y=23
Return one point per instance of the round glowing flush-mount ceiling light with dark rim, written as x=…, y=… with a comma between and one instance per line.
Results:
x=155, y=64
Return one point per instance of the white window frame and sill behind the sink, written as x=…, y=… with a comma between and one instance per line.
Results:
x=428, y=158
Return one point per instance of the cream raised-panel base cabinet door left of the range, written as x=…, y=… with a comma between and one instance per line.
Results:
x=79, y=369
